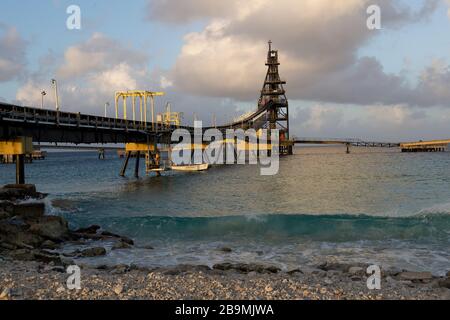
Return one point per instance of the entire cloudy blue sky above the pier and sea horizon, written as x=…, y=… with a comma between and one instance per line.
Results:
x=343, y=80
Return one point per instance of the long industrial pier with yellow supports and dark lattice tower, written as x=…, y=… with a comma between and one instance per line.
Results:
x=23, y=126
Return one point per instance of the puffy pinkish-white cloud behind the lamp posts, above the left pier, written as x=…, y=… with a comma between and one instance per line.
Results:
x=88, y=75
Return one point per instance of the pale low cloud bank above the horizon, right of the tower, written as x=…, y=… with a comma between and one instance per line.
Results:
x=390, y=123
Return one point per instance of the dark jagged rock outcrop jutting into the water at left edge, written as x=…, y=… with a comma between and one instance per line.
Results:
x=26, y=233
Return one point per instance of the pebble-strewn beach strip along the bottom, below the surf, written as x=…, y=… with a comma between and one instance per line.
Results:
x=35, y=280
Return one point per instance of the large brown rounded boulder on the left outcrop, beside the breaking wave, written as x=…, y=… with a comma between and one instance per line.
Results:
x=51, y=227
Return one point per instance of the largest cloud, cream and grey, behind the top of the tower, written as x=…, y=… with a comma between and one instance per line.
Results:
x=318, y=42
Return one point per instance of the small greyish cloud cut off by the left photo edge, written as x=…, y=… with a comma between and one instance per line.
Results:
x=12, y=54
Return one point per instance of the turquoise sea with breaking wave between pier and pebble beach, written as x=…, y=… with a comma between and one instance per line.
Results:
x=374, y=205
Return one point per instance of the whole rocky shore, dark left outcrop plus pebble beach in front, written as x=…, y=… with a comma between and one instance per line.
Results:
x=33, y=267
